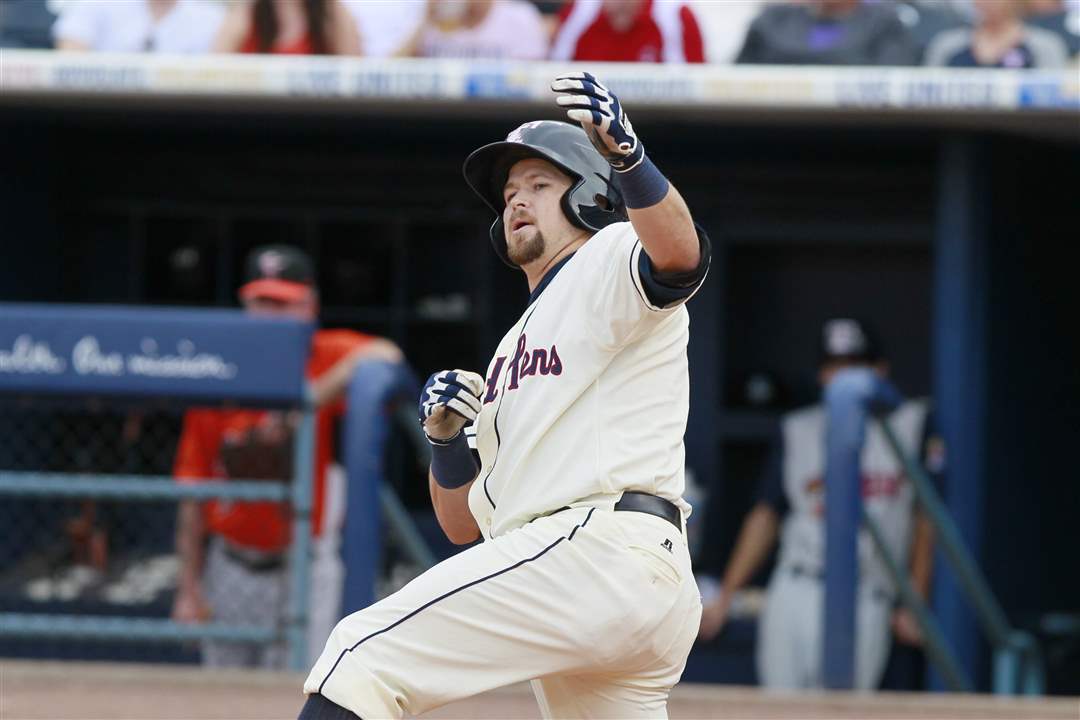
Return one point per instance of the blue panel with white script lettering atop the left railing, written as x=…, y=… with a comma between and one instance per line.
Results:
x=191, y=355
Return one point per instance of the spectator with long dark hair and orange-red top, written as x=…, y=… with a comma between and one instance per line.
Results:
x=289, y=28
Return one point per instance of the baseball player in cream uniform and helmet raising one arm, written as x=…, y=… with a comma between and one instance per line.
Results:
x=583, y=583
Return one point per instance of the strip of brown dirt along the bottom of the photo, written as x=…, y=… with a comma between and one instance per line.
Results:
x=85, y=691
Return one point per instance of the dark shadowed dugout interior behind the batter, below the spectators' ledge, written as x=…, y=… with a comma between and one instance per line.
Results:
x=951, y=230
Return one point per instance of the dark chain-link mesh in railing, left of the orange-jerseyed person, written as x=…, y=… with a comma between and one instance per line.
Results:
x=85, y=556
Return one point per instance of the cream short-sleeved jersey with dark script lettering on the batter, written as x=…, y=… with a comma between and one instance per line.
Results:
x=587, y=396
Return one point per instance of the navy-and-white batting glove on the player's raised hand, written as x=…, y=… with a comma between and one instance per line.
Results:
x=602, y=117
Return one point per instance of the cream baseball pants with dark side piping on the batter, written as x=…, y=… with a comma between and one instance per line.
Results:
x=599, y=607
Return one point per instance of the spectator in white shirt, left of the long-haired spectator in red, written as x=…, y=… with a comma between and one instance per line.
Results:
x=136, y=26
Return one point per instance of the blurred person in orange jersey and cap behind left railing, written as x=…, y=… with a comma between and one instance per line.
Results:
x=240, y=577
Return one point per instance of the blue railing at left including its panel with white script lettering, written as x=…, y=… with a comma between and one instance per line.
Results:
x=190, y=357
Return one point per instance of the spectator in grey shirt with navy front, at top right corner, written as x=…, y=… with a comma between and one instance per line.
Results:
x=1000, y=40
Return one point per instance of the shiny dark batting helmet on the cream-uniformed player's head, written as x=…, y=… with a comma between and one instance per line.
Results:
x=593, y=201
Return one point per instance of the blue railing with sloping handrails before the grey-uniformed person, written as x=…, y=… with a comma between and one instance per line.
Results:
x=856, y=398
